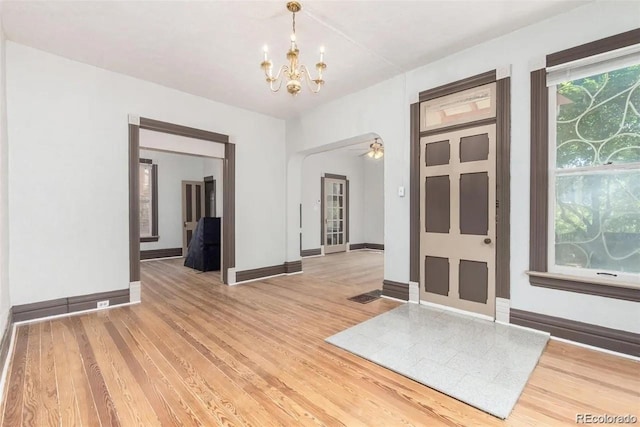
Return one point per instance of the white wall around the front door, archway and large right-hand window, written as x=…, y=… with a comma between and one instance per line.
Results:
x=384, y=109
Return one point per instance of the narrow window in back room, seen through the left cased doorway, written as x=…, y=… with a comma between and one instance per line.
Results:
x=148, y=178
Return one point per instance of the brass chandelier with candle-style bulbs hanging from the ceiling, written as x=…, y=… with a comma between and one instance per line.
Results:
x=293, y=72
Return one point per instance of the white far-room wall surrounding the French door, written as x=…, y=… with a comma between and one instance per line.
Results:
x=338, y=163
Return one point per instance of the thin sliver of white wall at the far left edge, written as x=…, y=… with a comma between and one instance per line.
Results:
x=5, y=302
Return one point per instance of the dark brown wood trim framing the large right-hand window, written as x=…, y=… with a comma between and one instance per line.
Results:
x=540, y=176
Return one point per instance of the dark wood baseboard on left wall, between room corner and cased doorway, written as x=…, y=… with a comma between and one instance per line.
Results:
x=67, y=305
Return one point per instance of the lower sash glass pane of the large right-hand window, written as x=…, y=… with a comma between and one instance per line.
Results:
x=597, y=220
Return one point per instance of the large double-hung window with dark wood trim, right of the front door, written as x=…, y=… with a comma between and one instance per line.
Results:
x=585, y=169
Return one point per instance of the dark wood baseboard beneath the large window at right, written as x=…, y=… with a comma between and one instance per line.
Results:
x=585, y=333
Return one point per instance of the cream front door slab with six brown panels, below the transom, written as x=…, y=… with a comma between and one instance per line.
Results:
x=457, y=219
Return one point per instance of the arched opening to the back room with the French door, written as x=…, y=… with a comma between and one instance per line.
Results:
x=342, y=205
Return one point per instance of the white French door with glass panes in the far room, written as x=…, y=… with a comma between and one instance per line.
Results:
x=335, y=215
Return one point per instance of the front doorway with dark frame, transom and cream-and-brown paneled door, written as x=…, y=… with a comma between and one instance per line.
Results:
x=459, y=247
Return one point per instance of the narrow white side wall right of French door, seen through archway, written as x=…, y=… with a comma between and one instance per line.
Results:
x=373, y=200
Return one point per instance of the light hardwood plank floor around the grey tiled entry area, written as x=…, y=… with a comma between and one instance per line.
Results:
x=196, y=352
